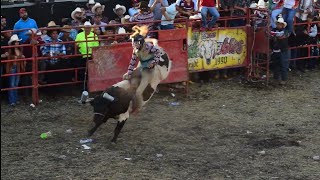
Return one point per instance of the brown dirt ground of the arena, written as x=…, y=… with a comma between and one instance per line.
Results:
x=221, y=130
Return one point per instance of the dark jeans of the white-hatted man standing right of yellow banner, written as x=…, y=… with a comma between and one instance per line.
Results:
x=281, y=65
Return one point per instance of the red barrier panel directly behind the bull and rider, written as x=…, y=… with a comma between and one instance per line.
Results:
x=111, y=62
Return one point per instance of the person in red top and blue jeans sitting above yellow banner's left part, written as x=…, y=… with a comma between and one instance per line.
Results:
x=208, y=6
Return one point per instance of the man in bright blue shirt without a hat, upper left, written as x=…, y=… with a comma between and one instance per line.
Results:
x=24, y=23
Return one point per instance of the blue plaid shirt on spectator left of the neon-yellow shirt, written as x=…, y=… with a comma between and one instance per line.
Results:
x=53, y=49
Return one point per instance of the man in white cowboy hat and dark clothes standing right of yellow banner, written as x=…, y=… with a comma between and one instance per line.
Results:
x=280, y=54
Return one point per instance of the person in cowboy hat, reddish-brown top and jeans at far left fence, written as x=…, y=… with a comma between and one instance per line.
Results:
x=15, y=53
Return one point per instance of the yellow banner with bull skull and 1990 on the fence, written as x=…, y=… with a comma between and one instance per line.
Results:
x=216, y=49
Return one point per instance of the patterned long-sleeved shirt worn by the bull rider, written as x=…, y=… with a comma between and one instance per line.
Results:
x=152, y=50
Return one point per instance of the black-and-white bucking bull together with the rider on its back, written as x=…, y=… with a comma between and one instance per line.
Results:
x=137, y=87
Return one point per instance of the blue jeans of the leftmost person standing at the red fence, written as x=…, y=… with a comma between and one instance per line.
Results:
x=13, y=82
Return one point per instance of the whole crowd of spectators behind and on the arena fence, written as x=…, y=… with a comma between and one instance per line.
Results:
x=90, y=24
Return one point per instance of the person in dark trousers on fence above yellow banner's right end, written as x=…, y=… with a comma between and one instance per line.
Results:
x=240, y=9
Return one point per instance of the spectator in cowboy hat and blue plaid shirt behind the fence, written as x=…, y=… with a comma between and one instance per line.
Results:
x=52, y=48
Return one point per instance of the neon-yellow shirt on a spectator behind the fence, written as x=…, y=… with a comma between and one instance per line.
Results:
x=93, y=42
